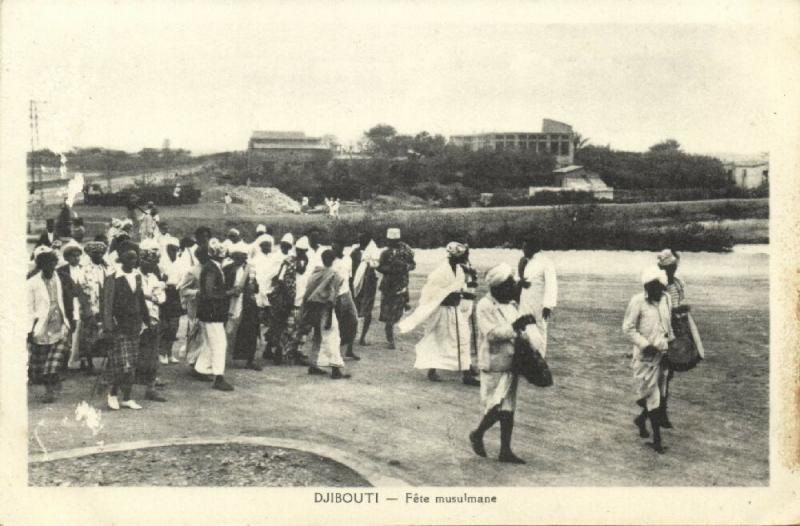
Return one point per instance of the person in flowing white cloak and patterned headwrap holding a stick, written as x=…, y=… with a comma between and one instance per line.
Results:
x=447, y=339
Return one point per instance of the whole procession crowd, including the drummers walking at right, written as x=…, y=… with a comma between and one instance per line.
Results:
x=125, y=295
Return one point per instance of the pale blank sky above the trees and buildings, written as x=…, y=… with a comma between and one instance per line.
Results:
x=206, y=74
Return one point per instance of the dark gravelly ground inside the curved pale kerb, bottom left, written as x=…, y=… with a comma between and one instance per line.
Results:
x=197, y=465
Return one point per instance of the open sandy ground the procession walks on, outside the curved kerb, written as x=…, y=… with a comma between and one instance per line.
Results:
x=576, y=433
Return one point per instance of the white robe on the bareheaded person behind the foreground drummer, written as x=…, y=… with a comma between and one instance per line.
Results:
x=542, y=293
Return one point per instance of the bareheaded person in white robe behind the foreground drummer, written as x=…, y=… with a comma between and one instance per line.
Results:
x=539, y=287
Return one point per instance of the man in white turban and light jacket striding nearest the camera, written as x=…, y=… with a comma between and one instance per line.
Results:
x=499, y=326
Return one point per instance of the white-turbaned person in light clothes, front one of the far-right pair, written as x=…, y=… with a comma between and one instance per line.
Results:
x=648, y=325
